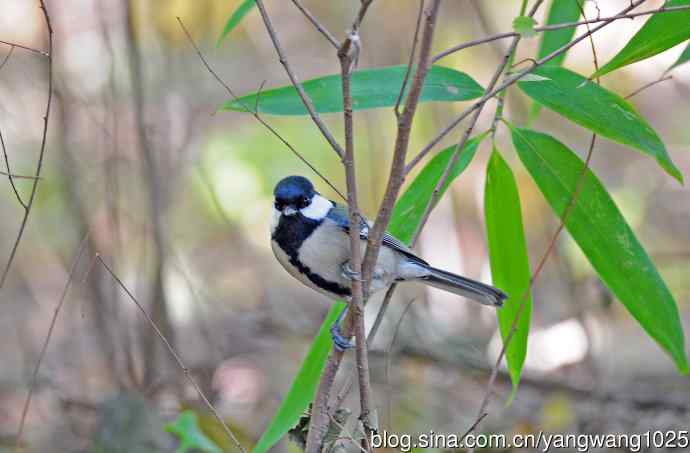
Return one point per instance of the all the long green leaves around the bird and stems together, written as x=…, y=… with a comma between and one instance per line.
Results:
x=572, y=190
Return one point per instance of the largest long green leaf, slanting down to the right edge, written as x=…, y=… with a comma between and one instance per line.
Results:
x=603, y=235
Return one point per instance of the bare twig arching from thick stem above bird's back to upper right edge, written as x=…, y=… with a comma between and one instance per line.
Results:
x=508, y=82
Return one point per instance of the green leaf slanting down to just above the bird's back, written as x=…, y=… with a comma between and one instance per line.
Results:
x=409, y=209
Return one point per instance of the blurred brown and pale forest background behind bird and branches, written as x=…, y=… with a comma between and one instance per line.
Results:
x=177, y=197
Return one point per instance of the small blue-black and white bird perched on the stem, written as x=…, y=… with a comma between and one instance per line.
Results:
x=310, y=239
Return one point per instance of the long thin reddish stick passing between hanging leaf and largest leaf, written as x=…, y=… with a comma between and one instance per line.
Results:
x=523, y=300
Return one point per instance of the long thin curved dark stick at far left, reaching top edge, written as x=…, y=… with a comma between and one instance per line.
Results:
x=44, y=137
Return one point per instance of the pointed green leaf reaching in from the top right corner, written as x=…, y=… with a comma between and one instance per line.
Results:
x=661, y=32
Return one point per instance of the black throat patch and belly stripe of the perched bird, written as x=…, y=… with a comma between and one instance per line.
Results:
x=290, y=233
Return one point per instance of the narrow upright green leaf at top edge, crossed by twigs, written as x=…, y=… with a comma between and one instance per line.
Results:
x=560, y=12
